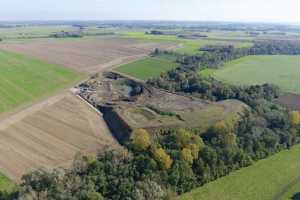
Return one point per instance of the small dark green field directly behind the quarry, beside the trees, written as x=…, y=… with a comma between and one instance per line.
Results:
x=149, y=67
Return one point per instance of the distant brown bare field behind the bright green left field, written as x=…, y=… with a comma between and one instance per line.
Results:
x=86, y=55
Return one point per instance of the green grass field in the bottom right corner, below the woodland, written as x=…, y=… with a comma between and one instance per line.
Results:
x=265, y=180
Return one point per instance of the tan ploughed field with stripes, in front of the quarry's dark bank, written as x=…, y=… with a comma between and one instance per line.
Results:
x=49, y=134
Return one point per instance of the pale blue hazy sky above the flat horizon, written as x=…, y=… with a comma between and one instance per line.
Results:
x=182, y=10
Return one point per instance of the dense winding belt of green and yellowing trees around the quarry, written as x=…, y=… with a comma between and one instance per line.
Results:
x=167, y=164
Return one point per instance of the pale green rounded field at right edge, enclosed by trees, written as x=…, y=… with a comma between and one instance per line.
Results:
x=280, y=70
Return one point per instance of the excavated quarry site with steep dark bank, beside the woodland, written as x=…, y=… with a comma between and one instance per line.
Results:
x=154, y=109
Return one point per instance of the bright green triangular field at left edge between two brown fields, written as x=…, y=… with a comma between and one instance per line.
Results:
x=23, y=79
